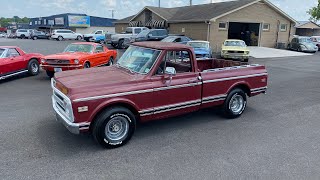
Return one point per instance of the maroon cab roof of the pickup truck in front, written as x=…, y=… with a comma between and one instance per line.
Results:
x=162, y=45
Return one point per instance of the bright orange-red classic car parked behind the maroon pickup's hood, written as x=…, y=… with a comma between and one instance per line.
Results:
x=78, y=56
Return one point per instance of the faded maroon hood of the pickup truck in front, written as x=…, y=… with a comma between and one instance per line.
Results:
x=97, y=81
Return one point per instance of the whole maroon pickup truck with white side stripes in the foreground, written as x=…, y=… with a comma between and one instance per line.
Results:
x=152, y=80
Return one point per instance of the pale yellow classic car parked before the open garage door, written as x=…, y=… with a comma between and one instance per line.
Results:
x=235, y=49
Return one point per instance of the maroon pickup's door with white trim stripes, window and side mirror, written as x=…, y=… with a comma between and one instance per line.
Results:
x=179, y=92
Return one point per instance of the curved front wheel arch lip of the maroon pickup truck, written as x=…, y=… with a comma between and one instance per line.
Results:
x=114, y=102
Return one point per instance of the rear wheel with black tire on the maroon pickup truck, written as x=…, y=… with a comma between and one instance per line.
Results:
x=235, y=112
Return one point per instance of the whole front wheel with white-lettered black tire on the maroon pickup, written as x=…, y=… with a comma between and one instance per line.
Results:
x=103, y=128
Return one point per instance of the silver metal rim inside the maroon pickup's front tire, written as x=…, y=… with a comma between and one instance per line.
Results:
x=117, y=128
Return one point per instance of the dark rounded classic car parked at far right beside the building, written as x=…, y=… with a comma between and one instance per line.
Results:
x=303, y=44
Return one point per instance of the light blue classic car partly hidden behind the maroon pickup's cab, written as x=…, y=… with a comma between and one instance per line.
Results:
x=202, y=49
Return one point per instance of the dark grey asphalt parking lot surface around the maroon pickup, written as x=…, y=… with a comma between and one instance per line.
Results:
x=276, y=138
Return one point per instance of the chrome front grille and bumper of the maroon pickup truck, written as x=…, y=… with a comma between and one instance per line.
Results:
x=63, y=110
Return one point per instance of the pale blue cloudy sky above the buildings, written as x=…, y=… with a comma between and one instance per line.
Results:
x=123, y=8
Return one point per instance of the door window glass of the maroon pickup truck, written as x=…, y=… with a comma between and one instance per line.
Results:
x=180, y=60
